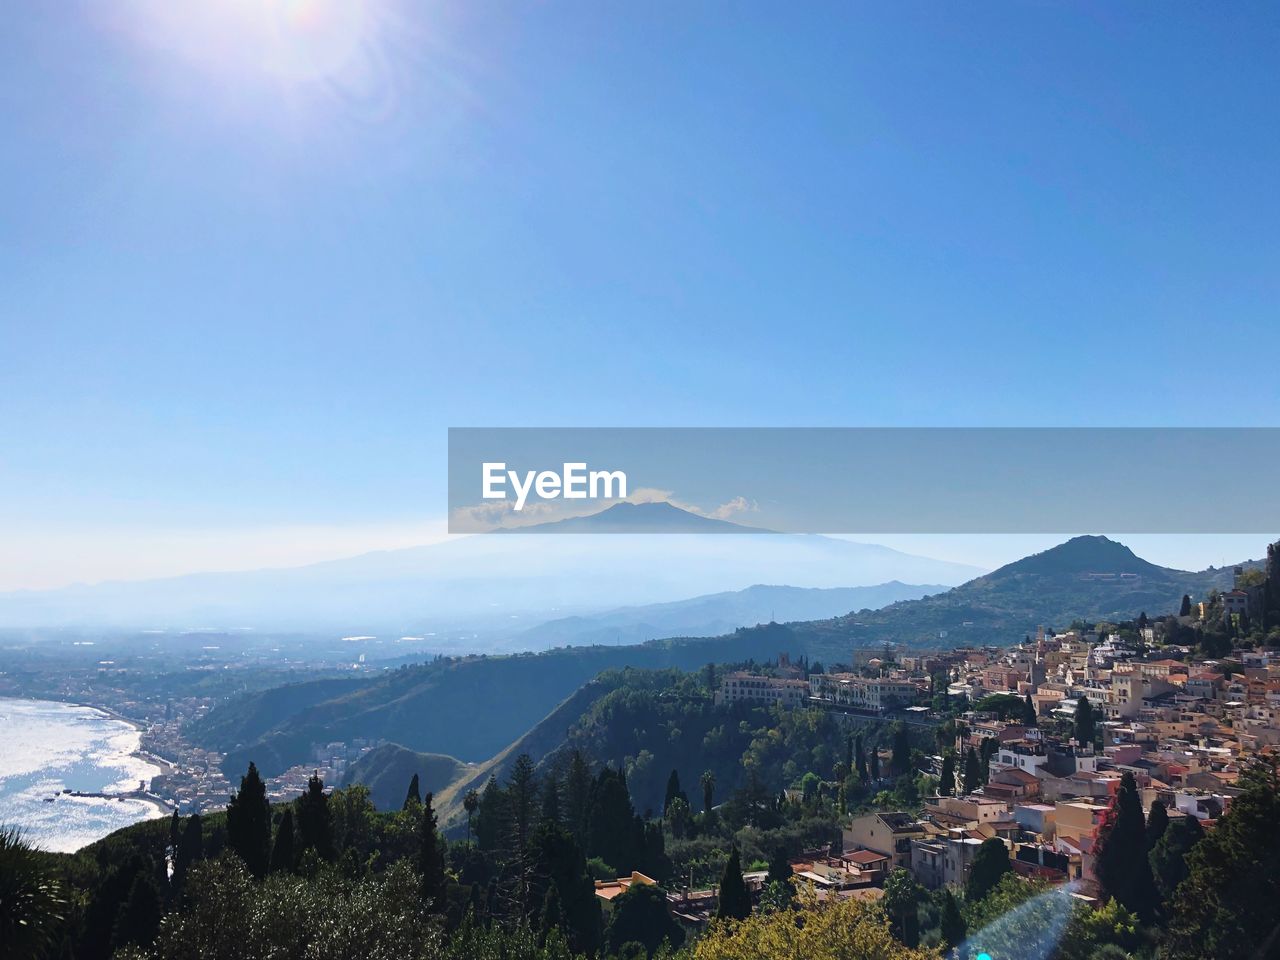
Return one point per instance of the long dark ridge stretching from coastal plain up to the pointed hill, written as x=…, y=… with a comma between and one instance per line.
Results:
x=501, y=698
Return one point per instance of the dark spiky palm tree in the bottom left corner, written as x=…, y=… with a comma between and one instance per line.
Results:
x=31, y=900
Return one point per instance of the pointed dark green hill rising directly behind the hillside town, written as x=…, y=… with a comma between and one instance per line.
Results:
x=1090, y=578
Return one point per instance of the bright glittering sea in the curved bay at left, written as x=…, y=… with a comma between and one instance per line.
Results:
x=48, y=748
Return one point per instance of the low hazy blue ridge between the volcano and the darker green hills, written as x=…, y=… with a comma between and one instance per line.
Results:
x=715, y=615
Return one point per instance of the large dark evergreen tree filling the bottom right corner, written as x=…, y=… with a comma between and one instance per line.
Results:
x=1227, y=904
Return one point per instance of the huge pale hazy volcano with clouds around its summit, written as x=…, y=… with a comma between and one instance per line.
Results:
x=487, y=587
